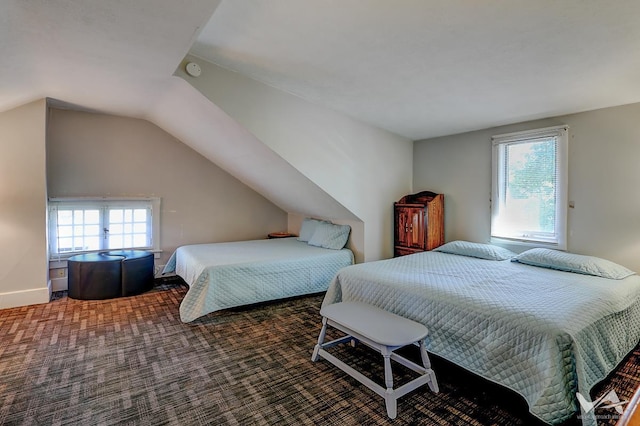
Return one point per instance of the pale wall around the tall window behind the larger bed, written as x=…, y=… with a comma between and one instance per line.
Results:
x=604, y=181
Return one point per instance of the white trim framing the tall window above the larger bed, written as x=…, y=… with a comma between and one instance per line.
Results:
x=562, y=166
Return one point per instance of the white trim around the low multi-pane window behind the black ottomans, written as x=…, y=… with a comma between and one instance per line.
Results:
x=155, y=211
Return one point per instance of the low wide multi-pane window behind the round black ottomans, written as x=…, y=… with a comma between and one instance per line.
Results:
x=82, y=225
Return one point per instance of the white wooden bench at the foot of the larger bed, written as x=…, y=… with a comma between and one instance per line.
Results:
x=383, y=331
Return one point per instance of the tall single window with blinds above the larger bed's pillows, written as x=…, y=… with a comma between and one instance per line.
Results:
x=529, y=188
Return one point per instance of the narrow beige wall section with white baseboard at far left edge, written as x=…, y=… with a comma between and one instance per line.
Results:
x=23, y=200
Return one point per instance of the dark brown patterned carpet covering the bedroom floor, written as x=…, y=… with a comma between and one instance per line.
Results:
x=131, y=361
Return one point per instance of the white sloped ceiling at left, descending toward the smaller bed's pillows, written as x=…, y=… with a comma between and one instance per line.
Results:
x=118, y=57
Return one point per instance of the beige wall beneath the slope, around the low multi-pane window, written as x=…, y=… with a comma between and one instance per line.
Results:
x=104, y=155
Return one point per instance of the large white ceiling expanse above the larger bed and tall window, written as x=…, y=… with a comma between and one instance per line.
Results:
x=424, y=68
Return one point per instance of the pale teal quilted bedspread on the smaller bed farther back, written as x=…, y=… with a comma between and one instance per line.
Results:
x=225, y=275
